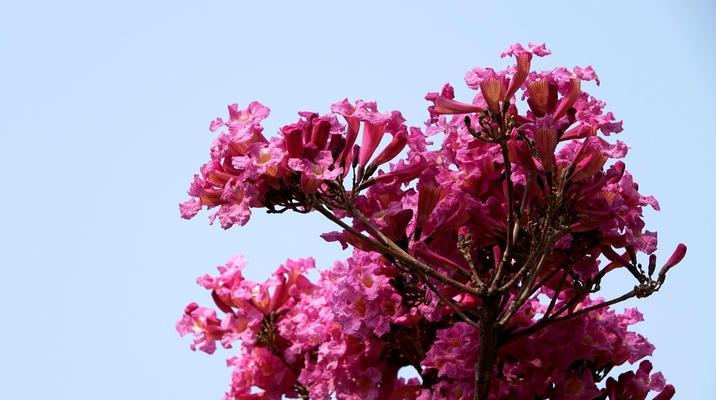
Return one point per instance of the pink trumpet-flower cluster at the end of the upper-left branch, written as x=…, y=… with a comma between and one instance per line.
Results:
x=249, y=171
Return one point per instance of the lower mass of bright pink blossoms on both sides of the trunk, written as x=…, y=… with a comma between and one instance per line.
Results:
x=350, y=333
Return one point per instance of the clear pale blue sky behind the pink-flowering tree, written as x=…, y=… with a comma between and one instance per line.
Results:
x=104, y=110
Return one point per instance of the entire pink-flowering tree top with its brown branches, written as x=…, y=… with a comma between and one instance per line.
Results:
x=483, y=253
